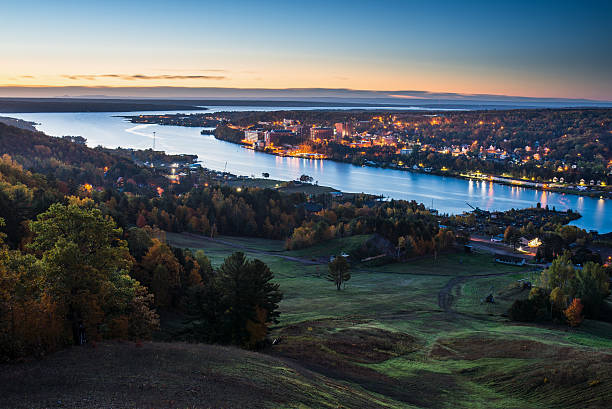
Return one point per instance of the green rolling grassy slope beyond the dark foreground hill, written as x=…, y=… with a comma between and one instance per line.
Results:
x=387, y=331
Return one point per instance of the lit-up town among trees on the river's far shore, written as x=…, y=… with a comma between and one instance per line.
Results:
x=498, y=146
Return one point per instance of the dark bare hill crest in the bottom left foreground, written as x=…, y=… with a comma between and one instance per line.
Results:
x=174, y=375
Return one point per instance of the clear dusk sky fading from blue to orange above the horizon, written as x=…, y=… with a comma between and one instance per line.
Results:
x=552, y=49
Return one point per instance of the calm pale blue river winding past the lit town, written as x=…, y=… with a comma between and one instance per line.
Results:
x=449, y=195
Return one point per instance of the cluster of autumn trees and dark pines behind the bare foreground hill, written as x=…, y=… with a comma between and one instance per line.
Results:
x=73, y=276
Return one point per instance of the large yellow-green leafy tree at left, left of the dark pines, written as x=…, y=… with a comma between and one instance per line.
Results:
x=86, y=268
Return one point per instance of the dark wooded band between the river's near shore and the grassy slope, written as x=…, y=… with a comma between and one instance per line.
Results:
x=205, y=210
